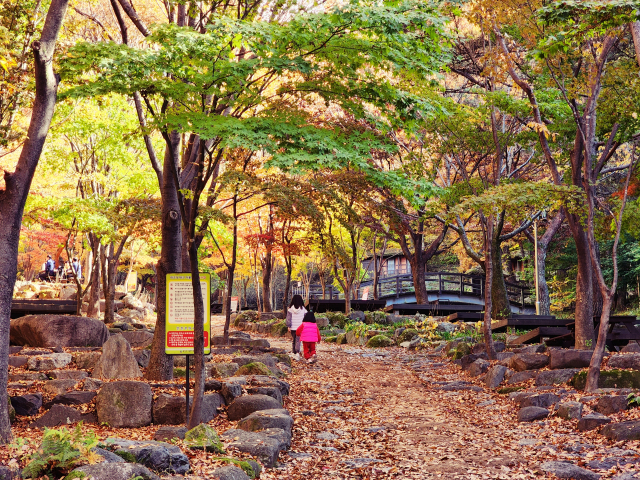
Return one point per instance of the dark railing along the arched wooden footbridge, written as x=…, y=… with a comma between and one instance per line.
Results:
x=442, y=283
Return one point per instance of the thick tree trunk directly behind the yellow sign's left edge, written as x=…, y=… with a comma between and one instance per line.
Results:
x=160, y=364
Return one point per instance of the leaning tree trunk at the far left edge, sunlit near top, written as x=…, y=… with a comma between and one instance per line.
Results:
x=17, y=184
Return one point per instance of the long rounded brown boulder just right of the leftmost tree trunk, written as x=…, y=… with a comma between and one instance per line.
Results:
x=58, y=331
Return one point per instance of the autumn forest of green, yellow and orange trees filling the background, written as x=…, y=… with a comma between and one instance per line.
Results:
x=272, y=142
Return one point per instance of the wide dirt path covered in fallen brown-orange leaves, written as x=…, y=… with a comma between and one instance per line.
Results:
x=381, y=413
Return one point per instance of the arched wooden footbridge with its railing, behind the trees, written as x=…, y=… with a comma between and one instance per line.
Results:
x=442, y=288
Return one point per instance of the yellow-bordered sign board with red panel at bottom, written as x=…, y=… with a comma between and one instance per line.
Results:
x=180, y=313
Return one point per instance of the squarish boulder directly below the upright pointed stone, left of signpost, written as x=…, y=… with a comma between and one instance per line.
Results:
x=125, y=404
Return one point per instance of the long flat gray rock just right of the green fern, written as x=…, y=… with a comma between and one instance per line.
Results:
x=158, y=456
